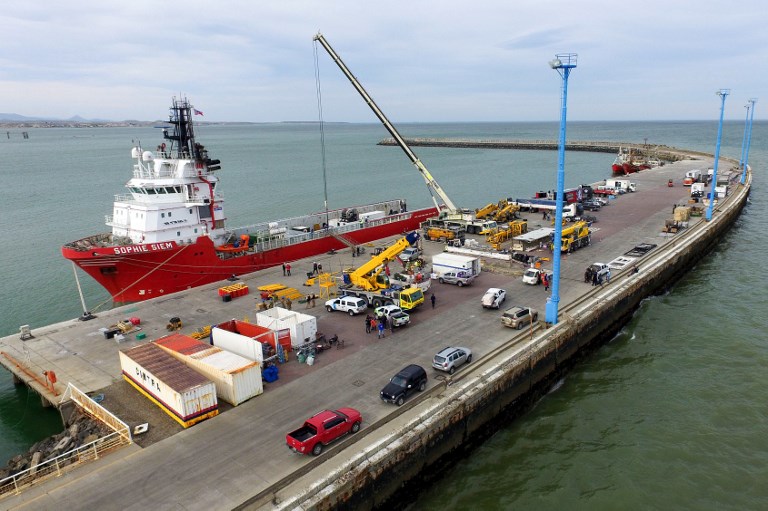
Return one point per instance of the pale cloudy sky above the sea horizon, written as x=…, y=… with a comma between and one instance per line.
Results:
x=420, y=60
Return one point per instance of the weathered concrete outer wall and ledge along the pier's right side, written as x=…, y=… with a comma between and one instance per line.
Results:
x=395, y=459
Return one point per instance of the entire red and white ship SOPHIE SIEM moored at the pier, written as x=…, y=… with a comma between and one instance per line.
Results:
x=168, y=232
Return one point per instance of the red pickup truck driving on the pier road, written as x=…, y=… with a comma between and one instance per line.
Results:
x=323, y=428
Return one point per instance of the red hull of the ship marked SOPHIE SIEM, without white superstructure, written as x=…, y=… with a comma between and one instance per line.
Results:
x=139, y=272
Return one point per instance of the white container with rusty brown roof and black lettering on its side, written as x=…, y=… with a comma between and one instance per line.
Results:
x=181, y=392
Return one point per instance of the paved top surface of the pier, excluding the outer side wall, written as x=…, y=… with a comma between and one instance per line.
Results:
x=227, y=460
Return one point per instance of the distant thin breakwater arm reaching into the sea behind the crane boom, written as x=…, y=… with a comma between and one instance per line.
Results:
x=661, y=152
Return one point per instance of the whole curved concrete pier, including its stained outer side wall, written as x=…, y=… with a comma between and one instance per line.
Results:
x=239, y=460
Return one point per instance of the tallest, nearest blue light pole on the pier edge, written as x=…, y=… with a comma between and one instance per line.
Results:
x=563, y=64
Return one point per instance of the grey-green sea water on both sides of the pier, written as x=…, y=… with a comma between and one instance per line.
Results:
x=671, y=413
